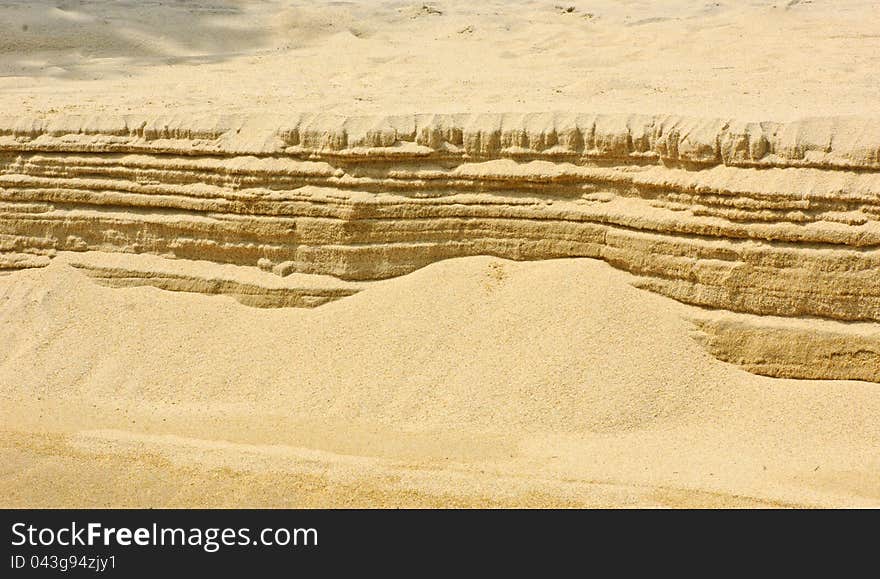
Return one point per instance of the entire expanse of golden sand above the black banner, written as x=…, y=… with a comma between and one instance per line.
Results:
x=326, y=254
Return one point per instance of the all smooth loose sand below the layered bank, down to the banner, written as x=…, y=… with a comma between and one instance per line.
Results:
x=472, y=381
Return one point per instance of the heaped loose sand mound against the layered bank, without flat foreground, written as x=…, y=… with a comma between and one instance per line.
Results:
x=473, y=351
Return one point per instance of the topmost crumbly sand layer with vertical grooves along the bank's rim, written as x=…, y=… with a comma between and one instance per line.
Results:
x=834, y=142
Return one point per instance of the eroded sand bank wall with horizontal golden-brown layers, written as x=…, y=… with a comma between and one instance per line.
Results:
x=774, y=221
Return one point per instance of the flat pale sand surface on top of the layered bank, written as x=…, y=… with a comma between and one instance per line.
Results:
x=755, y=60
